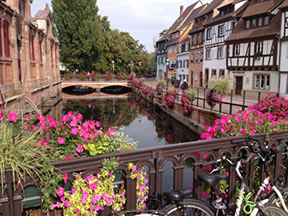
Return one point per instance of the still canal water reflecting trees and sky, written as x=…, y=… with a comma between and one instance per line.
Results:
x=138, y=119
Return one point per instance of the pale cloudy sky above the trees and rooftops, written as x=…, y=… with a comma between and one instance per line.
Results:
x=143, y=19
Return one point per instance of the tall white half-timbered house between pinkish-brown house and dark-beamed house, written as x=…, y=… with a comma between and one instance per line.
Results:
x=216, y=32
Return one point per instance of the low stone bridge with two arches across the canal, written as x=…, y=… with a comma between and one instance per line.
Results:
x=98, y=85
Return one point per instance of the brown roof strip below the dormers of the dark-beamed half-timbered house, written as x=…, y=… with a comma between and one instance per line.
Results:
x=239, y=31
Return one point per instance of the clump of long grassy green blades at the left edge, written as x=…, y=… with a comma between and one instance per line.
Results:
x=19, y=152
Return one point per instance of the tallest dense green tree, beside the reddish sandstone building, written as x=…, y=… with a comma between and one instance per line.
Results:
x=80, y=32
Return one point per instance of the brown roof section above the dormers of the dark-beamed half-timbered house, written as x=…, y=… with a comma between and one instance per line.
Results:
x=257, y=7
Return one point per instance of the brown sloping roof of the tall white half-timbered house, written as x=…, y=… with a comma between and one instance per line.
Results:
x=236, y=13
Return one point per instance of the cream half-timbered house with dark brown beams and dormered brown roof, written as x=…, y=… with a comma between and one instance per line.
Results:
x=252, y=54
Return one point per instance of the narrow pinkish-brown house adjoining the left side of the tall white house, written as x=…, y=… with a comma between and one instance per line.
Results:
x=197, y=37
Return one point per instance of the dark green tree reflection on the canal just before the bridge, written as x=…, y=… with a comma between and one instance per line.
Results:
x=110, y=113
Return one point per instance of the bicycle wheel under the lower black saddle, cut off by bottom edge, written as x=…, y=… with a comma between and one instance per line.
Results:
x=192, y=207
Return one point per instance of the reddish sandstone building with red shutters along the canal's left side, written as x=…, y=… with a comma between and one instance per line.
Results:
x=29, y=54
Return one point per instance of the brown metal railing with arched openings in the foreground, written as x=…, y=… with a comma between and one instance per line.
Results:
x=154, y=159
